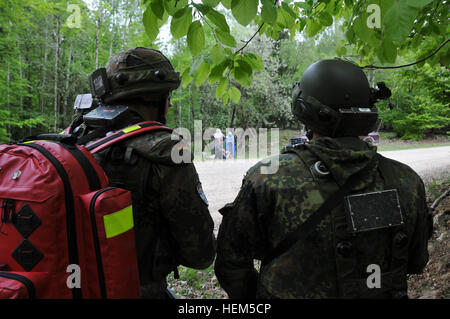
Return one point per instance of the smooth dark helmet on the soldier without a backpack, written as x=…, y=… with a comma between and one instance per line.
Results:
x=334, y=99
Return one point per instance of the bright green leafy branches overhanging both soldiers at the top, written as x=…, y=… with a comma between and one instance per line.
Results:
x=379, y=31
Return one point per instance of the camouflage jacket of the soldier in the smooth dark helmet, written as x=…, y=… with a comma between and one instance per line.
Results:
x=268, y=207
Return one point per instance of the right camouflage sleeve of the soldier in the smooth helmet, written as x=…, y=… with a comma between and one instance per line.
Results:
x=418, y=248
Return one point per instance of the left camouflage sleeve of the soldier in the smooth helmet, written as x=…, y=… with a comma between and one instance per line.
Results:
x=238, y=245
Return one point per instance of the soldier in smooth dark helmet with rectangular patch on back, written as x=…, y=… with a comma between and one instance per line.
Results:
x=328, y=259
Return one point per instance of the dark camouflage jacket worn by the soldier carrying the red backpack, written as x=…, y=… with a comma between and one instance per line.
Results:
x=171, y=217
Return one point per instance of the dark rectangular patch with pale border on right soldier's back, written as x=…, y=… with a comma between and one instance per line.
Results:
x=374, y=210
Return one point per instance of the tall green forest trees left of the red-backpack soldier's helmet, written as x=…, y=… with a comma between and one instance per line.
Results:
x=44, y=63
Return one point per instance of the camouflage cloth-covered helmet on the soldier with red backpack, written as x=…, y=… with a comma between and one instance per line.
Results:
x=139, y=72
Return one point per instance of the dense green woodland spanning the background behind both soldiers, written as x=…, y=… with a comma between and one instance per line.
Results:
x=45, y=61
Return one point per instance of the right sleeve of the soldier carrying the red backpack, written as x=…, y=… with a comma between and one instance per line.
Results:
x=186, y=213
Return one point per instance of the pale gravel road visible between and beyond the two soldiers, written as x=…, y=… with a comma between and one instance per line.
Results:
x=222, y=180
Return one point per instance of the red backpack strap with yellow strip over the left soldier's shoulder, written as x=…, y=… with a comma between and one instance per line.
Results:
x=125, y=134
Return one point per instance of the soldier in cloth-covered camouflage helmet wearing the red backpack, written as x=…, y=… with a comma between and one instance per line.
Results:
x=171, y=217
